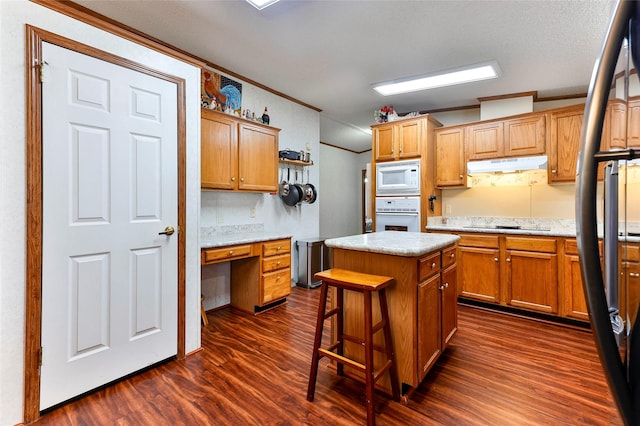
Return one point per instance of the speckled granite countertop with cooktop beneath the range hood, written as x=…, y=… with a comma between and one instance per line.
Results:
x=505, y=225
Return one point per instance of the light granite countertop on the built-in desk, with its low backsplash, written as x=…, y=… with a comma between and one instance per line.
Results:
x=230, y=235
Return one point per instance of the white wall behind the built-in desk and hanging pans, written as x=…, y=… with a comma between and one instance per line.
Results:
x=300, y=131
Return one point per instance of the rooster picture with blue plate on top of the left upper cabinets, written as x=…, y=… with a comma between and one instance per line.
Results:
x=220, y=93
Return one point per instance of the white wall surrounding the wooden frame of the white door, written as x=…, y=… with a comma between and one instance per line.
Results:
x=14, y=14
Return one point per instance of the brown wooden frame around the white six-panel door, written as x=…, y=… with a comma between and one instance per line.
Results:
x=33, y=310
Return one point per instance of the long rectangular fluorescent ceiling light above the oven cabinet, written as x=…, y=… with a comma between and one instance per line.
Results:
x=450, y=77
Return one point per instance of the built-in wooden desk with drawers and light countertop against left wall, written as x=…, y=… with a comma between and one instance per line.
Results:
x=260, y=268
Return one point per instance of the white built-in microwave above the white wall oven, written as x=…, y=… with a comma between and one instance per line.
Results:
x=398, y=178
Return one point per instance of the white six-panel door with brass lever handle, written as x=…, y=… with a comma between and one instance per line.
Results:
x=109, y=280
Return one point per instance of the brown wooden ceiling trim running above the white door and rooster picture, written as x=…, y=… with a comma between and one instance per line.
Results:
x=97, y=20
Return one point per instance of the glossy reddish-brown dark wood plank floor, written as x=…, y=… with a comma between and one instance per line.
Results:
x=499, y=370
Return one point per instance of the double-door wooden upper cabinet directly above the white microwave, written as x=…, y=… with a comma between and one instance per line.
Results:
x=397, y=140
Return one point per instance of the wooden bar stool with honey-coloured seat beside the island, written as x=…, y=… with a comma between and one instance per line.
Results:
x=366, y=284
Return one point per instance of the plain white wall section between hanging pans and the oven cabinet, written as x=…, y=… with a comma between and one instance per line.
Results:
x=341, y=182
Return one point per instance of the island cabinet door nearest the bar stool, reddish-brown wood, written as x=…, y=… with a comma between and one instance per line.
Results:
x=429, y=314
